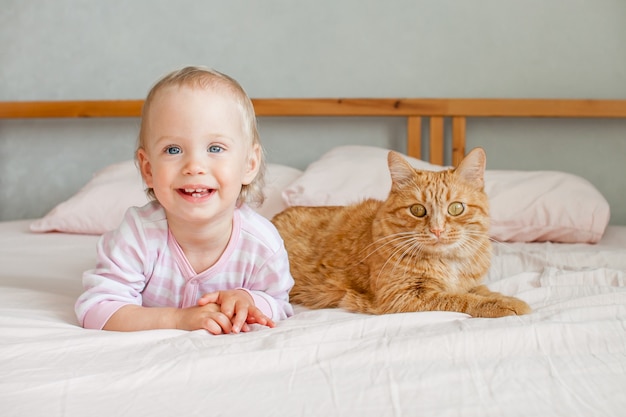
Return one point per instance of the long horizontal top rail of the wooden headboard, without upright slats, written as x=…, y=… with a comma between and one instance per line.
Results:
x=342, y=107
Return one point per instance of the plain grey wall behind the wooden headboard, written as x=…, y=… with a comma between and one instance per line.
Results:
x=75, y=49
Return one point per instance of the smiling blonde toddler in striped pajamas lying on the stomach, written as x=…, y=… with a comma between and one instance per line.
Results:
x=197, y=256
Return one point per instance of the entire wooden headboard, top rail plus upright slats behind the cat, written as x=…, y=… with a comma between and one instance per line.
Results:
x=414, y=110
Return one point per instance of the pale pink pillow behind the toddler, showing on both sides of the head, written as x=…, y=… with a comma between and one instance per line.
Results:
x=100, y=205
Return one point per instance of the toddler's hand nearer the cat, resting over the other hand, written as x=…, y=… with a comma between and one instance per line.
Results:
x=239, y=307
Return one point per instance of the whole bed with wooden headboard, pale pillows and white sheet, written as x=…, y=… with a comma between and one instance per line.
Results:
x=555, y=250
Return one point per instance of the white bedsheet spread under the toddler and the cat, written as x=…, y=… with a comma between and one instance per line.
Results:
x=566, y=358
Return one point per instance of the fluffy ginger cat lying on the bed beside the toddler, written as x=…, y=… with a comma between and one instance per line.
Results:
x=426, y=247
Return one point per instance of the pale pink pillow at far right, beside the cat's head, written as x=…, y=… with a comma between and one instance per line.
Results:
x=538, y=206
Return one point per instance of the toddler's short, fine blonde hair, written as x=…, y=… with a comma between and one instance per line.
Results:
x=207, y=78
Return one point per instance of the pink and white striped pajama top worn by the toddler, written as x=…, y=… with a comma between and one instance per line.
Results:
x=141, y=263
